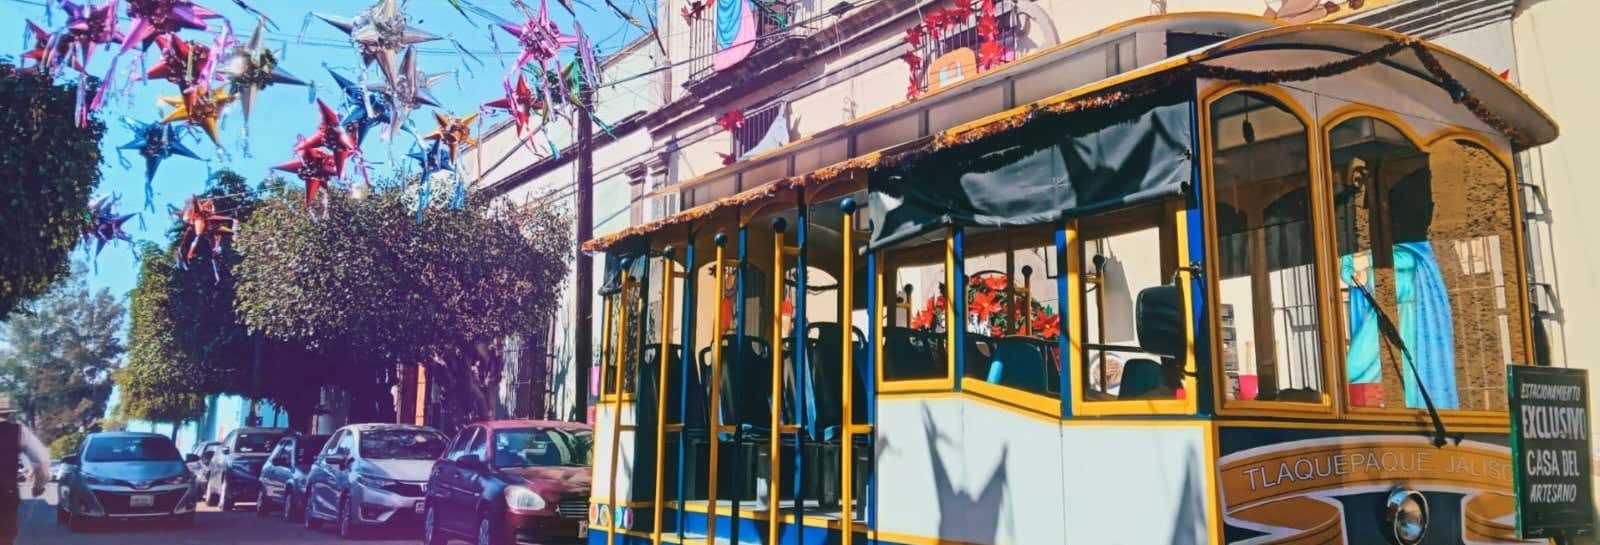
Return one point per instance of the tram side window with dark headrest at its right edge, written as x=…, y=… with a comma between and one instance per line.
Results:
x=1122, y=255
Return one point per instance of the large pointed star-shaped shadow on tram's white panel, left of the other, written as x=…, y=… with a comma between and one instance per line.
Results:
x=970, y=517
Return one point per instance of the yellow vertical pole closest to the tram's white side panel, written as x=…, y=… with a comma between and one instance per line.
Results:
x=847, y=488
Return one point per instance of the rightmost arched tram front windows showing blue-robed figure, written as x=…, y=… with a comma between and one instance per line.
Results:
x=1449, y=277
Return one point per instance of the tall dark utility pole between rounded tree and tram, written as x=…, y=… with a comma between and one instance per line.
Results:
x=583, y=354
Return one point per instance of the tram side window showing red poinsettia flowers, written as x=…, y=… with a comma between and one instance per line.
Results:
x=1014, y=317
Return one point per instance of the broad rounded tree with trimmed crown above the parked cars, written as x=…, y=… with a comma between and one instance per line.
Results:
x=386, y=288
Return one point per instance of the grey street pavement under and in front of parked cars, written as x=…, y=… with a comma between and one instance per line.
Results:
x=212, y=528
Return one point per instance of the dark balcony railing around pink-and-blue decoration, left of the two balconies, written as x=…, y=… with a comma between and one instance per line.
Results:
x=780, y=22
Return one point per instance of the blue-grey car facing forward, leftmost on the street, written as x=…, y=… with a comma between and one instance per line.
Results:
x=126, y=477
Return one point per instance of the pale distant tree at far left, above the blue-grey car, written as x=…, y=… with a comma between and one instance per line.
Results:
x=58, y=354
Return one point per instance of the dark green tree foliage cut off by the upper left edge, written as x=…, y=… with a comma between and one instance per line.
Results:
x=50, y=167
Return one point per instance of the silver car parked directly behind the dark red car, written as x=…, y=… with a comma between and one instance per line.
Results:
x=372, y=475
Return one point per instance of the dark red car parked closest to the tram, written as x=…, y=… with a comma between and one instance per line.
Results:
x=511, y=482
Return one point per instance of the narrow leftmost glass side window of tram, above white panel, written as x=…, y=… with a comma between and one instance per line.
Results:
x=916, y=316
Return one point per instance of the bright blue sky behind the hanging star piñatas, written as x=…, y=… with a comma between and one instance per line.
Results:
x=282, y=114
